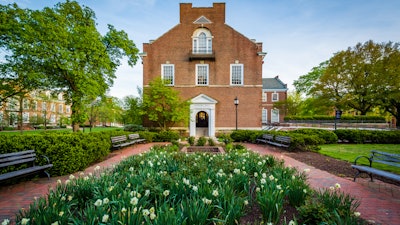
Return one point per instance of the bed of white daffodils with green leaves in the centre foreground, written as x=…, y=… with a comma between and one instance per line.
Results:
x=175, y=190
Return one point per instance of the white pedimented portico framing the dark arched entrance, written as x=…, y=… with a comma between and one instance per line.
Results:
x=202, y=116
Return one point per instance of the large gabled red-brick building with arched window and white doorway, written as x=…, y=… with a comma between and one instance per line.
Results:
x=210, y=64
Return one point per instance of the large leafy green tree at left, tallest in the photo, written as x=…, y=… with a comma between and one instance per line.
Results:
x=66, y=50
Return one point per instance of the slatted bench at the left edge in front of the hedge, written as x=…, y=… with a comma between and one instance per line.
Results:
x=19, y=158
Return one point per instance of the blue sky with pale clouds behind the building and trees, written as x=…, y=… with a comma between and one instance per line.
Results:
x=296, y=34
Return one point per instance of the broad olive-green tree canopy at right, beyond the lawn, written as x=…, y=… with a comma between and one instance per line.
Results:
x=360, y=78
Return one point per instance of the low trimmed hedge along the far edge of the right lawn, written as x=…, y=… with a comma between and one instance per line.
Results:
x=368, y=136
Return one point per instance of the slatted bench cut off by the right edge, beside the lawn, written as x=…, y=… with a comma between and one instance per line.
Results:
x=378, y=157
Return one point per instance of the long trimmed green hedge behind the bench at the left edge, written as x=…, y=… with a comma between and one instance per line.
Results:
x=68, y=152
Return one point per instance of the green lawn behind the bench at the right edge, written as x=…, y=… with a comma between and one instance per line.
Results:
x=349, y=152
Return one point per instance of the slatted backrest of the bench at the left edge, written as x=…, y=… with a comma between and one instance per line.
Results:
x=16, y=158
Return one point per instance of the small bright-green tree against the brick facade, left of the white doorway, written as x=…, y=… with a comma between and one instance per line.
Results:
x=162, y=104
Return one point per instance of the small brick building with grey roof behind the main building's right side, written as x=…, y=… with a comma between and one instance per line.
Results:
x=274, y=90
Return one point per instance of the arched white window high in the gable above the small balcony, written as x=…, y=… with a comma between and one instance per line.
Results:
x=202, y=41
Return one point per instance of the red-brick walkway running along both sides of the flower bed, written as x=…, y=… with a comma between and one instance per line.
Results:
x=380, y=202
